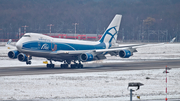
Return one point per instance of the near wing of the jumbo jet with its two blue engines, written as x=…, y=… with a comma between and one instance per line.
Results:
x=98, y=54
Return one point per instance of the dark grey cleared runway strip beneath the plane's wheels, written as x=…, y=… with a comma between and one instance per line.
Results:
x=98, y=67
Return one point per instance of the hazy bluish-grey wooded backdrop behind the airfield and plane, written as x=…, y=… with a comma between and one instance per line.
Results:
x=142, y=19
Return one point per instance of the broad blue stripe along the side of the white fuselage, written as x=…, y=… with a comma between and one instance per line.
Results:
x=48, y=46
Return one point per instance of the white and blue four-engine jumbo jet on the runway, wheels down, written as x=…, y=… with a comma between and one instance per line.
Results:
x=70, y=52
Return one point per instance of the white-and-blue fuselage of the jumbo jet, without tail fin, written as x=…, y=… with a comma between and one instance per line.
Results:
x=44, y=46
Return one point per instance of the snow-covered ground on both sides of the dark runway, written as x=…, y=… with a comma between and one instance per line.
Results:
x=97, y=86
